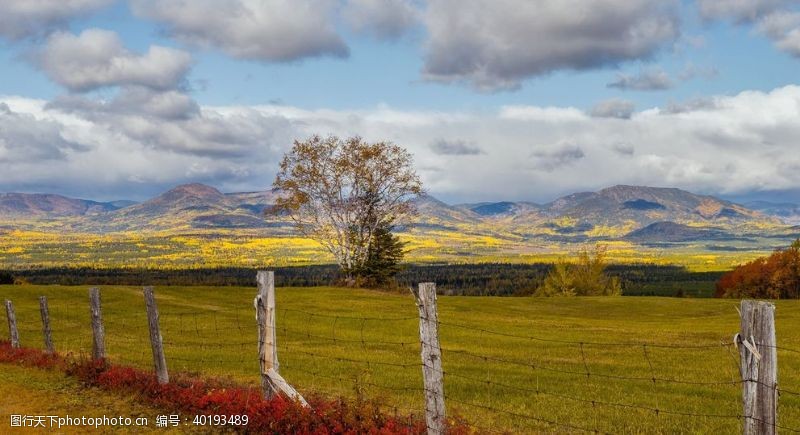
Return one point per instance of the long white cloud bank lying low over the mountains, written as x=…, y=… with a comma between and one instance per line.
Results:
x=747, y=142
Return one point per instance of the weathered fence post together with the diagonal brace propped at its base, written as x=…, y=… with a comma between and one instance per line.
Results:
x=272, y=383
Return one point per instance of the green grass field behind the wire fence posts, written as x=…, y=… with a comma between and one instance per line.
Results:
x=360, y=343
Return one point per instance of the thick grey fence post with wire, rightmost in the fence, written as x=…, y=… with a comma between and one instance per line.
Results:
x=759, y=366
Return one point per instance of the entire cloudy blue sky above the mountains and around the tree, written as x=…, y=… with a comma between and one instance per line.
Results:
x=496, y=99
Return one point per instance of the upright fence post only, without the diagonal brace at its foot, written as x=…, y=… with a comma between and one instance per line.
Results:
x=265, y=314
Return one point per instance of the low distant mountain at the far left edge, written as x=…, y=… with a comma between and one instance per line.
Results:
x=47, y=205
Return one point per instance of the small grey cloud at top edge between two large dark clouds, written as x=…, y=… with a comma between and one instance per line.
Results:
x=383, y=19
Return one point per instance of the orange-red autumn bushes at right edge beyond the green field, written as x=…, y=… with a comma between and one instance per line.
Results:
x=773, y=277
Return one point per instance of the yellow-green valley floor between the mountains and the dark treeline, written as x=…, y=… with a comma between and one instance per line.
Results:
x=186, y=249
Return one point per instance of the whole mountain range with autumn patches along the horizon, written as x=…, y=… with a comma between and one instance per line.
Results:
x=636, y=213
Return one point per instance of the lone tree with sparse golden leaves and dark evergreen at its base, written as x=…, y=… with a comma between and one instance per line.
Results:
x=347, y=194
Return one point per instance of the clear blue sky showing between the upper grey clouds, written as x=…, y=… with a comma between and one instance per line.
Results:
x=388, y=72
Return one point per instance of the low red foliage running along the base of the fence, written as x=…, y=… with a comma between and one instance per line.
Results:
x=192, y=396
